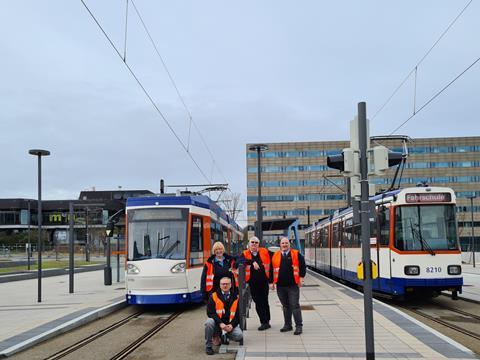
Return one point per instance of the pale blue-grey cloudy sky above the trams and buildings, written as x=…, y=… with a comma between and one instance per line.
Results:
x=248, y=71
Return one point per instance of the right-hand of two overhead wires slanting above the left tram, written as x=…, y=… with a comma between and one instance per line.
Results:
x=181, y=98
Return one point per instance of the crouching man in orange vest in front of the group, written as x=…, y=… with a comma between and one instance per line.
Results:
x=222, y=312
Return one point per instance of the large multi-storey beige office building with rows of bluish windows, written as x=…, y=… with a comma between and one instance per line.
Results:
x=296, y=181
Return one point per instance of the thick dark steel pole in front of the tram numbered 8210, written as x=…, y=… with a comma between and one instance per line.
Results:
x=365, y=226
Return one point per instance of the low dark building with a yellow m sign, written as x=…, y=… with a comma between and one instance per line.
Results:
x=18, y=218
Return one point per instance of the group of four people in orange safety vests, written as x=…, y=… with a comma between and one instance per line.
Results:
x=264, y=270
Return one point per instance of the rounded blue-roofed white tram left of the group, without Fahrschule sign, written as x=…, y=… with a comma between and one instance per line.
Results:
x=168, y=240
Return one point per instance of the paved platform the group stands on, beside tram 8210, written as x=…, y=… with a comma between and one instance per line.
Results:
x=333, y=329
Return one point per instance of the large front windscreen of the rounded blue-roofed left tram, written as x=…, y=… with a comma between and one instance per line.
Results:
x=157, y=234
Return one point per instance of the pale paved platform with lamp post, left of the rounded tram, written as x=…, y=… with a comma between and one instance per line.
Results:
x=26, y=322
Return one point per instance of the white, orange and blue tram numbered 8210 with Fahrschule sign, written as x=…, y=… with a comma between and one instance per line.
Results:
x=414, y=243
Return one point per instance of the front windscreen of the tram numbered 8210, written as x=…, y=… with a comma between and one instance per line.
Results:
x=425, y=228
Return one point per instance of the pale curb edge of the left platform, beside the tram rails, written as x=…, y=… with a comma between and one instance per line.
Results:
x=69, y=325
